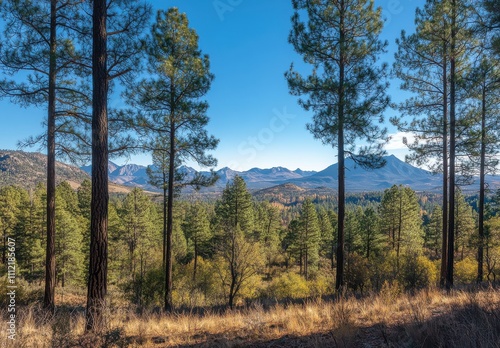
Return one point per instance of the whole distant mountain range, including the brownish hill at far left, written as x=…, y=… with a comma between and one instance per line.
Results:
x=26, y=169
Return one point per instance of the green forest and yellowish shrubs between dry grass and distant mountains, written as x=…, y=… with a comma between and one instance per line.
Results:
x=239, y=249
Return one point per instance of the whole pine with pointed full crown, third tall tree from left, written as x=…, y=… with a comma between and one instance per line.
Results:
x=172, y=115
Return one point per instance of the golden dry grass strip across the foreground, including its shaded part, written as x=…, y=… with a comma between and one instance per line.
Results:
x=430, y=318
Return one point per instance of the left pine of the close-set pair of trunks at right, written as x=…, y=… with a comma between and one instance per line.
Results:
x=422, y=62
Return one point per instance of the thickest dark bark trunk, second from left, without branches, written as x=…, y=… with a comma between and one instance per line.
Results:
x=97, y=282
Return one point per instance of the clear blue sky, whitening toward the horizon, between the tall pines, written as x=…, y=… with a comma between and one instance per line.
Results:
x=257, y=121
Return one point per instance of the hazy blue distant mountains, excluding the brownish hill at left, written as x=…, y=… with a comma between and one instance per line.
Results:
x=358, y=179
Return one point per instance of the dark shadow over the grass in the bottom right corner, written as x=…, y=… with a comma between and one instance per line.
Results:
x=469, y=326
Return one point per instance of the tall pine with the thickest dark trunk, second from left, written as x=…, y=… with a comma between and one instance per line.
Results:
x=114, y=42
